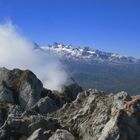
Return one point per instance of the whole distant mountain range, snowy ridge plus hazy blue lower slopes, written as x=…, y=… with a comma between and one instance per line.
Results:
x=92, y=68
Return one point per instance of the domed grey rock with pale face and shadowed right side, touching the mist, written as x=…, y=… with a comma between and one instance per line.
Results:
x=30, y=89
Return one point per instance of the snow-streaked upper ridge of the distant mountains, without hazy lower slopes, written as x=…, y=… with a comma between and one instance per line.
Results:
x=87, y=54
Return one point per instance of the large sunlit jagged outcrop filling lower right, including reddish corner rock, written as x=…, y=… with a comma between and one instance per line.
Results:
x=96, y=116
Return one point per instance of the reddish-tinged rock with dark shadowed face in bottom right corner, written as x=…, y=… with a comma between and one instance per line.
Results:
x=125, y=124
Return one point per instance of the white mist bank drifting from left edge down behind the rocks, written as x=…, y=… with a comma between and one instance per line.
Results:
x=17, y=52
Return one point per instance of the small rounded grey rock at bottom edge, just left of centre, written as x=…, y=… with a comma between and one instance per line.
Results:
x=61, y=134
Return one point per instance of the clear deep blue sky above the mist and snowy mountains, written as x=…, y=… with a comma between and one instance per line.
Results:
x=108, y=25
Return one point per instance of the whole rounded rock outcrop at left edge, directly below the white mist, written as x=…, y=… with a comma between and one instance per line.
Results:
x=19, y=87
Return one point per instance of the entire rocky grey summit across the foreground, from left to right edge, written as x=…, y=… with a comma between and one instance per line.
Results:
x=30, y=112
